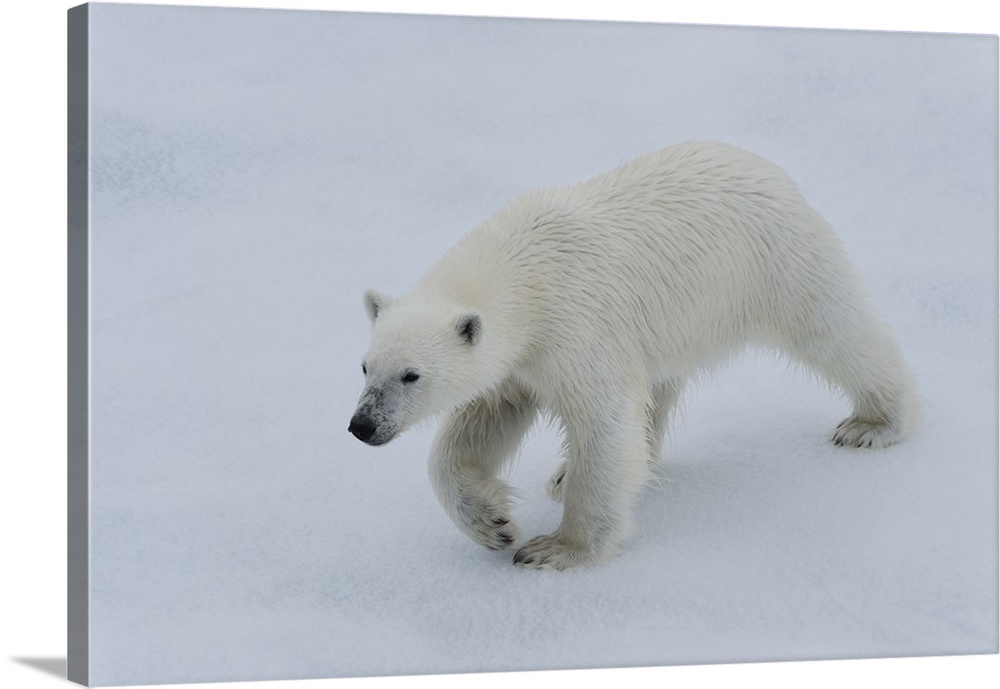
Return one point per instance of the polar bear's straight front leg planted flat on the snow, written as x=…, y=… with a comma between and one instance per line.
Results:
x=607, y=465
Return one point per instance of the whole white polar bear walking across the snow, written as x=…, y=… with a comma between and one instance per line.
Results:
x=594, y=304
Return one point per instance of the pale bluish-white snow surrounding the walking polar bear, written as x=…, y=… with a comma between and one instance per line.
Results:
x=254, y=171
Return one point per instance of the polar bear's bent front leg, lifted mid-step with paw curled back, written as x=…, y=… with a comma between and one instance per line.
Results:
x=471, y=447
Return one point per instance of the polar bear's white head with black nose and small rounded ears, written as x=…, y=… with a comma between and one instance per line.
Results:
x=423, y=359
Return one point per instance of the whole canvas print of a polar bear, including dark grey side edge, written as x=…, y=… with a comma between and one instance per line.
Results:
x=419, y=344
